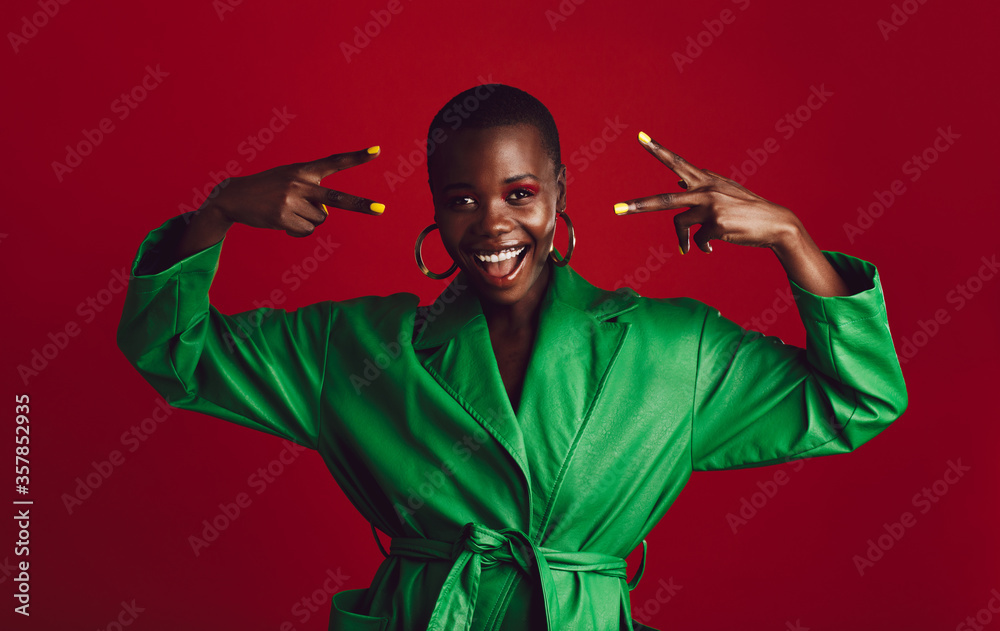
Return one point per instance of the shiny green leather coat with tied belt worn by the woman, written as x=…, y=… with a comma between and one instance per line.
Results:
x=504, y=521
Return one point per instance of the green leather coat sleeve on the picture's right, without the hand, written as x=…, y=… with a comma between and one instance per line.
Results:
x=759, y=401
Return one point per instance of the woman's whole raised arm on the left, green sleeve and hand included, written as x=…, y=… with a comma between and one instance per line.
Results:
x=262, y=368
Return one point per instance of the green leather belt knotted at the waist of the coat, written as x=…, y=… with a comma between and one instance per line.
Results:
x=478, y=547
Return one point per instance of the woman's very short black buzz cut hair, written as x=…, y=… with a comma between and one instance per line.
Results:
x=493, y=105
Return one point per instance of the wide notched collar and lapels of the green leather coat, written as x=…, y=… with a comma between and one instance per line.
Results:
x=575, y=347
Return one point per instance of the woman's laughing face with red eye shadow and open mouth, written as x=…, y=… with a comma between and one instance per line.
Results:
x=496, y=194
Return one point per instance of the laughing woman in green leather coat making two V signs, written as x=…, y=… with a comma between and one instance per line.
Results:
x=525, y=431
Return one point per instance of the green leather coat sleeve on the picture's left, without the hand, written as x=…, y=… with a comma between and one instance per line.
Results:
x=262, y=368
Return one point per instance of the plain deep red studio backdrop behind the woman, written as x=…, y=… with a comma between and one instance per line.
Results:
x=63, y=242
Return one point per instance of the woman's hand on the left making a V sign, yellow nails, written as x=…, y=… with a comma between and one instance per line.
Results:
x=290, y=197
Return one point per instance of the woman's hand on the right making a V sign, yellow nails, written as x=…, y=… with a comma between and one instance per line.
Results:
x=724, y=209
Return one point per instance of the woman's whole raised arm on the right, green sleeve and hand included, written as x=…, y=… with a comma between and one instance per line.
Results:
x=758, y=401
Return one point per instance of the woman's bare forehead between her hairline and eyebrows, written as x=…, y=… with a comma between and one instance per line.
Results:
x=469, y=155
